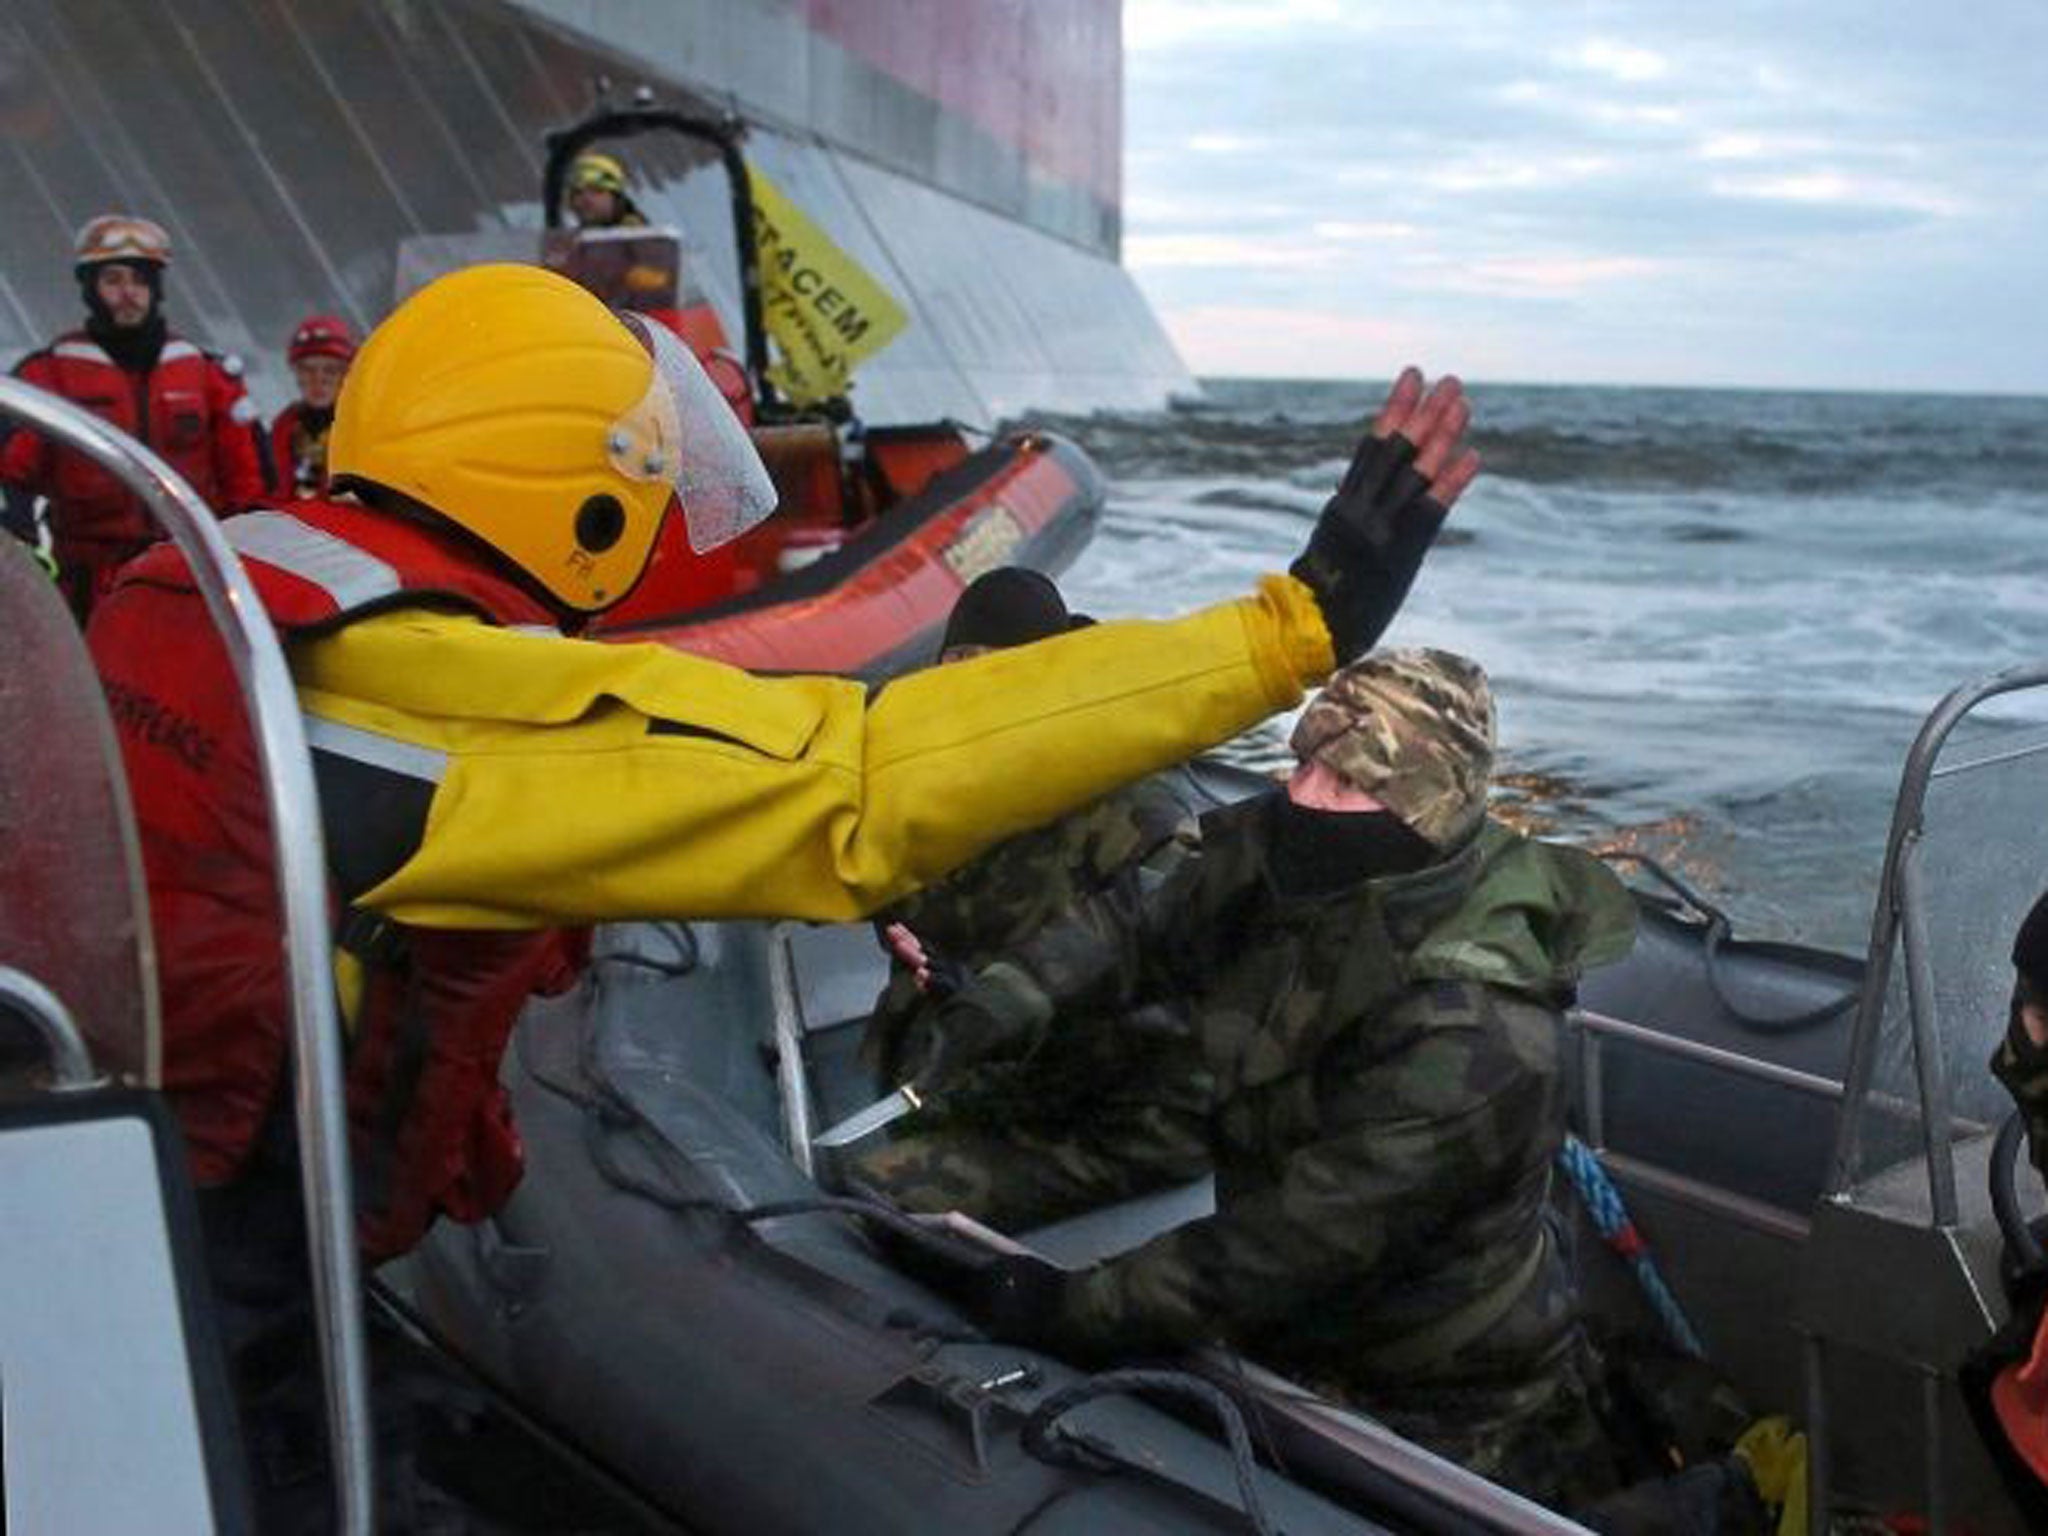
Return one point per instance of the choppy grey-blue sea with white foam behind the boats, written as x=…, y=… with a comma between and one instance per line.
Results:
x=1713, y=620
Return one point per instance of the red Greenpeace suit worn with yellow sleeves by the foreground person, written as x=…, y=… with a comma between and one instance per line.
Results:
x=429, y=1121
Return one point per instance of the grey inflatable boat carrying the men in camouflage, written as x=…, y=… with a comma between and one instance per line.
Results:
x=1803, y=1142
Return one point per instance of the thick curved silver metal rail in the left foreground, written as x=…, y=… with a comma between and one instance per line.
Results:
x=288, y=773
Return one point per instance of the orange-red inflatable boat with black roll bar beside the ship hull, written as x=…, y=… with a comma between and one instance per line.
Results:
x=878, y=527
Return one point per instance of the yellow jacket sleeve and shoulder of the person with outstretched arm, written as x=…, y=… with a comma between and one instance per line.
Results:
x=585, y=781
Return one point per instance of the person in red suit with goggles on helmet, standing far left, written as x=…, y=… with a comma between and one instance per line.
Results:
x=130, y=368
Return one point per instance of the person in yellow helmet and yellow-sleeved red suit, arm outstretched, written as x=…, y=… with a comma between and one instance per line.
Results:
x=501, y=460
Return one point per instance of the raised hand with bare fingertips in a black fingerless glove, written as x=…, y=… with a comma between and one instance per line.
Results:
x=1375, y=531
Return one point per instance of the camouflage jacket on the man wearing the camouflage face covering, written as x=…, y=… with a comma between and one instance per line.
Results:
x=1390, y=1103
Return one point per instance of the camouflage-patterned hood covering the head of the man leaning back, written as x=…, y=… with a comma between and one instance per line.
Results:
x=1412, y=728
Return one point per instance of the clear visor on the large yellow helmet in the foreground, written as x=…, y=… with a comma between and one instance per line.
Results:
x=685, y=433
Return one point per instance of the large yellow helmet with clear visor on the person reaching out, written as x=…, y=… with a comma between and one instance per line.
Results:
x=517, y=407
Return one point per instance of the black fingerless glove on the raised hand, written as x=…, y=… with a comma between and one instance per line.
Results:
x=1369, y=544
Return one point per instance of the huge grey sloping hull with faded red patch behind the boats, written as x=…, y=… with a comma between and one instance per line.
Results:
x=966, y=159
